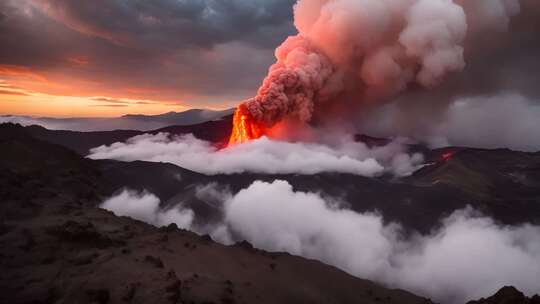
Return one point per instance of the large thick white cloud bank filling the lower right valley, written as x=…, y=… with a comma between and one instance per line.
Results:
x=467, y=258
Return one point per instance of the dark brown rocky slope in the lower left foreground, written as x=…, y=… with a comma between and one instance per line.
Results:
x=57, y=248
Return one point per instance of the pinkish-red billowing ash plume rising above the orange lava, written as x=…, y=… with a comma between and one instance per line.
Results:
x=369, y=49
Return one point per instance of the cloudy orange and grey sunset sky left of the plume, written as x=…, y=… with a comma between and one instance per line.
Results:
x=107, y=58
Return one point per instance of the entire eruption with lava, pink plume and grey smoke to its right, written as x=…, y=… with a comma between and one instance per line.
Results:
x=447, y=70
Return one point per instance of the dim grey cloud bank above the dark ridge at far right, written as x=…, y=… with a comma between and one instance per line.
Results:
x=503, y=121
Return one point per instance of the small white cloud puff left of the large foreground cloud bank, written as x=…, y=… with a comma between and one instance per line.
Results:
x=144, y=207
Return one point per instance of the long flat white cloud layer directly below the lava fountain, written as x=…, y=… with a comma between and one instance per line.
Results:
x=263, y=156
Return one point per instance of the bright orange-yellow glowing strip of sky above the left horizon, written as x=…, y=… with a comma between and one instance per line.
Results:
x=27, y=92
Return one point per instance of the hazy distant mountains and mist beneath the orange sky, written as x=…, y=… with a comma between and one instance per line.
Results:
x=126, y=122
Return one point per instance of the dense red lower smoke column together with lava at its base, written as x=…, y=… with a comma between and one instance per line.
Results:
x=301, y=77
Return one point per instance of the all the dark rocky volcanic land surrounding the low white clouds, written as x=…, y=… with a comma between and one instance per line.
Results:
x=58, y=247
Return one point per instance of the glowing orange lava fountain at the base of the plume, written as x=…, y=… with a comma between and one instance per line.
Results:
x=245, y=128
